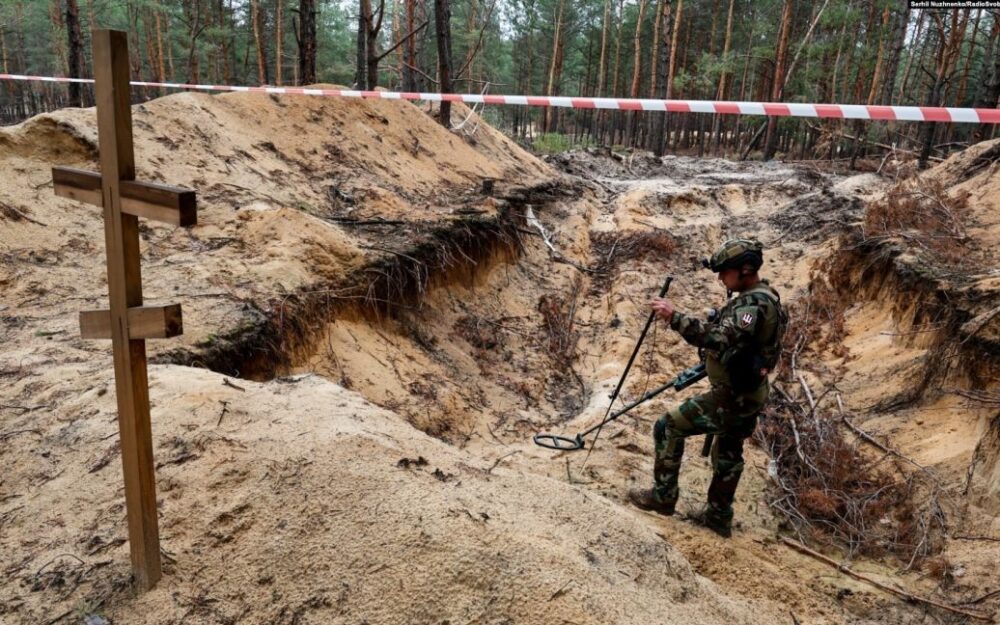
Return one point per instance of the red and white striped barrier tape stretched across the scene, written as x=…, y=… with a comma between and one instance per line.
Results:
x=782, y=109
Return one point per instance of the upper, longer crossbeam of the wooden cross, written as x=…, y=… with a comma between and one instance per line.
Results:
x=172, y=205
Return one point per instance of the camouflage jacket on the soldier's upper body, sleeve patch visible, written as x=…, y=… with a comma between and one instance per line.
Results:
x=744, y=338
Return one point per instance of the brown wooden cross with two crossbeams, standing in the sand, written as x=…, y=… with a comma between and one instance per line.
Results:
x=128, y=322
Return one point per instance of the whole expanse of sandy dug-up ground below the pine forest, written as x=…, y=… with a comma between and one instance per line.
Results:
x=343, y=432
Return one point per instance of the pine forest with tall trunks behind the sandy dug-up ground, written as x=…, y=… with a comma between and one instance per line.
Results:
x=874, y=52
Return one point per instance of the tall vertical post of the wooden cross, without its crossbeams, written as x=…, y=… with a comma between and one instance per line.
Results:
x=114, y=122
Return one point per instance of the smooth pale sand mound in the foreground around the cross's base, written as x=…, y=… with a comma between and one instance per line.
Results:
x=298, y=501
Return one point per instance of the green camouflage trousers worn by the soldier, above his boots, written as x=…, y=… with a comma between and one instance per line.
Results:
x=731, y=418
